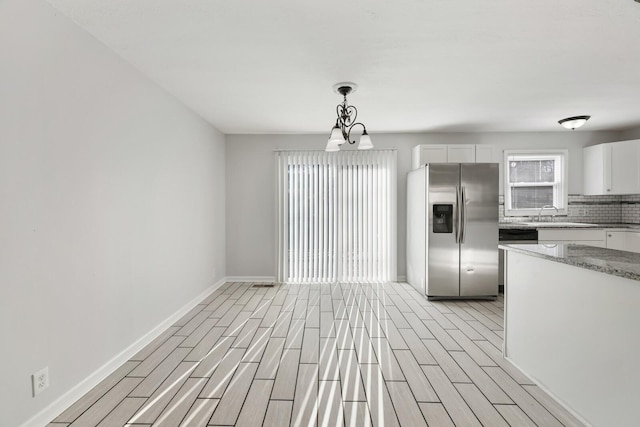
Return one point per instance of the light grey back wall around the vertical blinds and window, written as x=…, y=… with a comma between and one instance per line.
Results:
x=250, y=182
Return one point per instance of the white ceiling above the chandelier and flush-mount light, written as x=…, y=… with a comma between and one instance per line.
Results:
x=421, y=65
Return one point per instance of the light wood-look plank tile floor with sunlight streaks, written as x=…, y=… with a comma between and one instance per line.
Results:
x=327, y=355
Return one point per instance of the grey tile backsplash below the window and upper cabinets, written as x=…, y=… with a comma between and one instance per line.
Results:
x=597, y=209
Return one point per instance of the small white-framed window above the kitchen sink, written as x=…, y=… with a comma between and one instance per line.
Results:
x=534, y=179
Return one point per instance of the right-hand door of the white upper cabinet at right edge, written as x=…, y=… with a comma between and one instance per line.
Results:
x=624, y=171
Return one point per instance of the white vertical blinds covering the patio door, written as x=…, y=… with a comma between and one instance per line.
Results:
x=336, y=216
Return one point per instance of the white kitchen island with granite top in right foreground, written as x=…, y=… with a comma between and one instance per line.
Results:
x=572, y=314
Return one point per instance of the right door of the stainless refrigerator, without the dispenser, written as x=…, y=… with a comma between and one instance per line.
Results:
x=479, y=234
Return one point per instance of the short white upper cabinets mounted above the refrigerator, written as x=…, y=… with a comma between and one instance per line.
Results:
x=451, y=153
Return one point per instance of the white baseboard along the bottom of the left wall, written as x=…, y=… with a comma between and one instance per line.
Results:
x=45, y=416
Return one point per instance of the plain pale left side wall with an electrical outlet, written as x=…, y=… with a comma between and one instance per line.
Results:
x=111, y=205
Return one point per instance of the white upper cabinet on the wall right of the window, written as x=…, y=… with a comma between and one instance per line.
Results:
x=612, y=168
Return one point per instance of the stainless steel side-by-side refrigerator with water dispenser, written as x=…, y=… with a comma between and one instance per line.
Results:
x=452, y=230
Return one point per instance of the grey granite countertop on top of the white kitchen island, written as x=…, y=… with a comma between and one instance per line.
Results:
x=609, y=261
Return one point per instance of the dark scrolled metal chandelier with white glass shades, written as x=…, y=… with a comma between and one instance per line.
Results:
x=346, y=121
